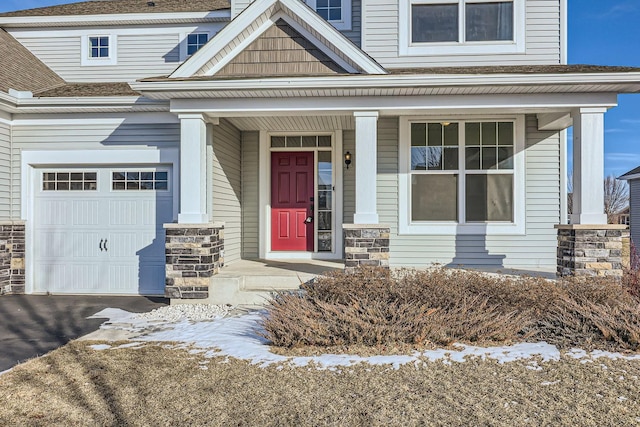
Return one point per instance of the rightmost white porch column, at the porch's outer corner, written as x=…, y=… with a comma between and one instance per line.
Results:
x=588, y=166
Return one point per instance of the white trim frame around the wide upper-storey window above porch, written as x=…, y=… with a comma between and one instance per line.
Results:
x=408, y=48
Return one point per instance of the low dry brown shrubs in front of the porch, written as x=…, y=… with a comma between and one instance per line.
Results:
x=438, y=307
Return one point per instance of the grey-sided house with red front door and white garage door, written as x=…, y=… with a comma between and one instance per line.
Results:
x=144, y=145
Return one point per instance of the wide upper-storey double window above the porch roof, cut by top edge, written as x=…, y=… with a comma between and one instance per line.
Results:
x=462, y=26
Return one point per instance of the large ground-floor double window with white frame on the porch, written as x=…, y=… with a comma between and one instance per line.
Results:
x=464, y=174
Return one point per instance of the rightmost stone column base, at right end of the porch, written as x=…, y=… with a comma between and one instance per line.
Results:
x=589, y=250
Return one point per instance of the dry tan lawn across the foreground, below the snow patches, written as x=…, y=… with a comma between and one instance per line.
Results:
x=161, y=387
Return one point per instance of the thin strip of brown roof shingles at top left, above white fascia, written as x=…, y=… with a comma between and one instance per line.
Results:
x=114, y=7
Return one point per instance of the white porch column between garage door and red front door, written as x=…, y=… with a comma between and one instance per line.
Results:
x=193, y=170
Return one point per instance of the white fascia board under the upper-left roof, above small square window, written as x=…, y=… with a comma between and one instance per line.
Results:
x=74, y=20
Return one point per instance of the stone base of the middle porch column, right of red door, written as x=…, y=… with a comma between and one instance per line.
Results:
x=365, y=245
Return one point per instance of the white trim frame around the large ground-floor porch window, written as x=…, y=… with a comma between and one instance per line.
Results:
x=406, y=227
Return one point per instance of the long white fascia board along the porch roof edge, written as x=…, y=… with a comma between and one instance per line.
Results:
x=390, y=81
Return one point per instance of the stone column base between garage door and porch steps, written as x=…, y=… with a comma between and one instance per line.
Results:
x=194, y=252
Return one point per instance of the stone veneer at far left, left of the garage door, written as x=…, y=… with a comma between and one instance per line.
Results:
x=12, y=262
